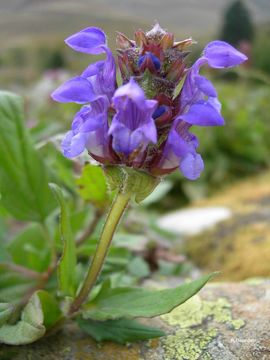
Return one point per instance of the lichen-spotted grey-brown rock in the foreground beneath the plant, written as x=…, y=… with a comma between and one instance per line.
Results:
x=226, y=321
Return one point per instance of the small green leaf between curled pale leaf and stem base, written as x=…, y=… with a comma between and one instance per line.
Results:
x=50, y=308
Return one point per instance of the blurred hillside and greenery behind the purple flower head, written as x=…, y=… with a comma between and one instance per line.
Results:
x=34, y=60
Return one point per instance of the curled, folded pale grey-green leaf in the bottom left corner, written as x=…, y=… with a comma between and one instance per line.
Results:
x=29, y=329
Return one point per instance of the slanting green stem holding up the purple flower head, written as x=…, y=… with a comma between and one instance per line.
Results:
x=118, y=207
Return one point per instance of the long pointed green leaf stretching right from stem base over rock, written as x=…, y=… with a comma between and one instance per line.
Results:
x=136, y=302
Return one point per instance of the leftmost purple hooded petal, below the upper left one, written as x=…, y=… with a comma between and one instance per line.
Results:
x=77, y=90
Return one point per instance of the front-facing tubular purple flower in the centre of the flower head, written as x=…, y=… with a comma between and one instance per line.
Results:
x=133, y=126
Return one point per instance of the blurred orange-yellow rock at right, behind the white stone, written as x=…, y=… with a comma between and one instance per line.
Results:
x=239, y=246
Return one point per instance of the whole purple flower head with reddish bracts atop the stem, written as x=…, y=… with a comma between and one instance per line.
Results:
x=144, y=122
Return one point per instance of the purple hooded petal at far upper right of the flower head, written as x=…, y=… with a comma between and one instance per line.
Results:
x=220, y=54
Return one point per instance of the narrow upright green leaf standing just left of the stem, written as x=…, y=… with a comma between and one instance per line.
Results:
x=67, y=264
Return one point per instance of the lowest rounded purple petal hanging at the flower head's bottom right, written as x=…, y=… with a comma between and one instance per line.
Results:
x=192, y=166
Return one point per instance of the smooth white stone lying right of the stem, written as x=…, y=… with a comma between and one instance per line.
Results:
x=193, y=221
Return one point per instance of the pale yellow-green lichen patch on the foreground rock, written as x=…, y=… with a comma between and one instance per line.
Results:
x=191, y=340
